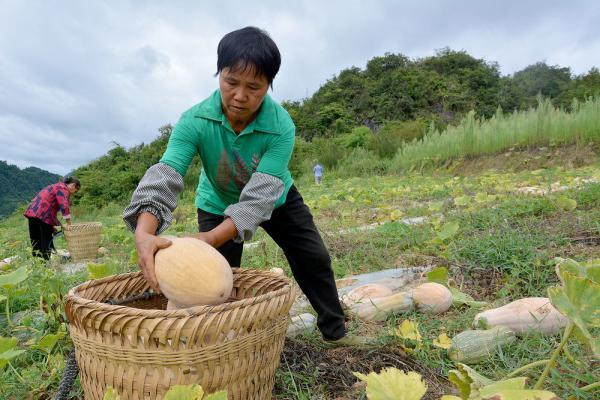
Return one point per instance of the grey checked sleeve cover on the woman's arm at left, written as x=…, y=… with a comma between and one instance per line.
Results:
x=157, y=194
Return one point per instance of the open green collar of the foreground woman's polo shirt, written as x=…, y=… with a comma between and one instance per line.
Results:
x=265, y=121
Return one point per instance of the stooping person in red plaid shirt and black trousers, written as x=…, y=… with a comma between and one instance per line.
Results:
x=42, y=212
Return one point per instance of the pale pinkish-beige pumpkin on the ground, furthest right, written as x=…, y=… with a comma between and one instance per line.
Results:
x=523, y=316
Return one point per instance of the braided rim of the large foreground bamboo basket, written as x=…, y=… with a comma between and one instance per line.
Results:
x=74, y=297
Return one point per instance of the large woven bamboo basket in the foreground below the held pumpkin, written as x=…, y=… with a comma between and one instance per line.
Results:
x=141, y=349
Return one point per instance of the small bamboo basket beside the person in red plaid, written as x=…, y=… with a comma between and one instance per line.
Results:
x=83, y=240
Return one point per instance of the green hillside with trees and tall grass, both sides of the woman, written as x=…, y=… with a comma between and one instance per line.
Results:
x=360, y=120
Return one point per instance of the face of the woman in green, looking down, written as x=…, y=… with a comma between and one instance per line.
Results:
x=242, y=93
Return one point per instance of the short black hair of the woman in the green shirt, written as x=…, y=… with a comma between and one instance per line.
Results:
x=249, y=47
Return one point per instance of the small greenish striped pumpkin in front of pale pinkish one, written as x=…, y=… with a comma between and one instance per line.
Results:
x=474, y=346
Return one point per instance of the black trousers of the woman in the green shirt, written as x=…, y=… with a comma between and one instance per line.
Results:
x=292, y=227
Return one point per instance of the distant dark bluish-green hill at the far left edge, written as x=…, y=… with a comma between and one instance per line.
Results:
x=18, y=186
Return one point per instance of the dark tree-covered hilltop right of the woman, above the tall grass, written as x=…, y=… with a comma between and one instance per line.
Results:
x=441, y=89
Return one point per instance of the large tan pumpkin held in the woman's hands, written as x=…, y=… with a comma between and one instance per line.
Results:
x=191, y=272
